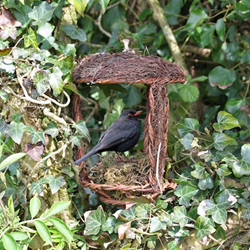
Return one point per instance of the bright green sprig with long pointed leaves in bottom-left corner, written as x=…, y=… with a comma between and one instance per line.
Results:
x=17, y=234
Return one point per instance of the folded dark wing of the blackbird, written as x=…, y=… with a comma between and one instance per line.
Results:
x=117, y=133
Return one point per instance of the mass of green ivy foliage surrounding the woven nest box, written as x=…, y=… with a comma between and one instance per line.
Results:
x=208, y=142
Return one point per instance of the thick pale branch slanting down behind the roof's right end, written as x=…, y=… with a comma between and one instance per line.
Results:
x=168, y=33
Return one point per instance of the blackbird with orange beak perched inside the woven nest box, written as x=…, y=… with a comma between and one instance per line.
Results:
x=121, y=136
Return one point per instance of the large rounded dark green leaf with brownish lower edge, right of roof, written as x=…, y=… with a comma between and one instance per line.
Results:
x=221, y=77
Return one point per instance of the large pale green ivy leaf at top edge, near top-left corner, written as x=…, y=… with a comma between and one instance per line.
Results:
x=42, y=13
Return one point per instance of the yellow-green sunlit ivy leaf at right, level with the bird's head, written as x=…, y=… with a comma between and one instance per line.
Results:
x=225, y=121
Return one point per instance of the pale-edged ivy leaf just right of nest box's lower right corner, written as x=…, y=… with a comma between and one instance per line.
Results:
x=186, y=193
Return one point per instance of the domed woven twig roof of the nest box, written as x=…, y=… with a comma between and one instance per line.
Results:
x=127, y=67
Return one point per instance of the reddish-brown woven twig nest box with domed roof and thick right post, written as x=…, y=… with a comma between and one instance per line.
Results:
x=156, y=73
